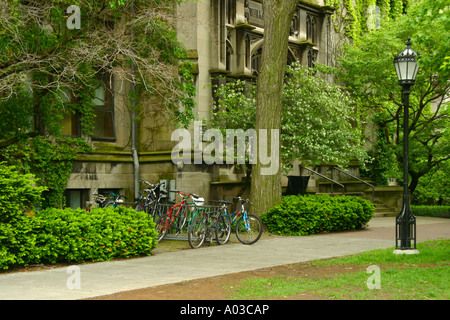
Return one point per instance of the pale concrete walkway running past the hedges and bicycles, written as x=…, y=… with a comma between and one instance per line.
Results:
x=95, y=279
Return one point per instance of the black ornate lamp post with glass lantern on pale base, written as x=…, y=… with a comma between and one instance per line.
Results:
x=406, y=66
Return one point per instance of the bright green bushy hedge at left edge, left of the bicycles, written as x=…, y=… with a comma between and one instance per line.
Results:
x=64, y=235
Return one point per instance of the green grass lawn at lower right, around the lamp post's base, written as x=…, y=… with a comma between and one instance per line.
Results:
x=425, y=276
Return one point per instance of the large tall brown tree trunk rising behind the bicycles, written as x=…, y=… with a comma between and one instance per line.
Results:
x=266, y=184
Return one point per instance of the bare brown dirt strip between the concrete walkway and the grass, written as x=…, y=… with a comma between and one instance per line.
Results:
x=220, y=287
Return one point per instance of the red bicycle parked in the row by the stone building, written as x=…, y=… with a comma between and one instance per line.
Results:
x=175, y=216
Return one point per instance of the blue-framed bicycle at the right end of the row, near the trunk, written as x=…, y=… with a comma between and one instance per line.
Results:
x=248, y=226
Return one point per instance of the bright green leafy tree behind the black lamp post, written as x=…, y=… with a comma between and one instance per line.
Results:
x=379, y=97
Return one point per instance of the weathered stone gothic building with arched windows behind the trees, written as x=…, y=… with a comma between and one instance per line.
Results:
x=224, y=39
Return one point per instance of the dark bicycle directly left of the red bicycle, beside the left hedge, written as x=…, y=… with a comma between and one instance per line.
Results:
x=149, y=202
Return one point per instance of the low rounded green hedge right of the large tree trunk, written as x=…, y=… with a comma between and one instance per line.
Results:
x=311, y=214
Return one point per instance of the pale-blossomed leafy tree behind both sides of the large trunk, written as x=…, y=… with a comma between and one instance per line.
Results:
x=317, y=124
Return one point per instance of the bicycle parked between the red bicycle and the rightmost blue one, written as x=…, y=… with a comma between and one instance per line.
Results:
x=208, y=226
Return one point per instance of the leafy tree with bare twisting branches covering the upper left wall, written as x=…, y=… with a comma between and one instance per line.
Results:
x=48, y=76
